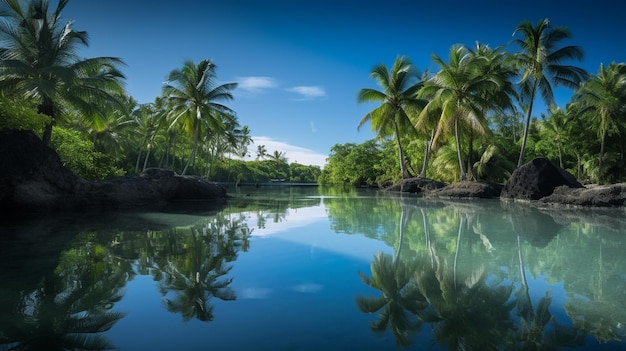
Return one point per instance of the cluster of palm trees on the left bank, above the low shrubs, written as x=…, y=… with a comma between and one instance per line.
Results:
x=39, y=65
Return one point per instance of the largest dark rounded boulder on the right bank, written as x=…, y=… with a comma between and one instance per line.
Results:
x=537, y=179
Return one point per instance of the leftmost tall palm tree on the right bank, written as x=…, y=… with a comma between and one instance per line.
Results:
x=398, y=99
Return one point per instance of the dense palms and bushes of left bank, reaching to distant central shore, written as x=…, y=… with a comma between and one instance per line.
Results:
x=80, y=108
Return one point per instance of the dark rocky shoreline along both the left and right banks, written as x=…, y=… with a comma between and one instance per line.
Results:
x=33, y=179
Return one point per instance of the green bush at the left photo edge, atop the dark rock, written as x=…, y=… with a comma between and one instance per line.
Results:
x=21, y=115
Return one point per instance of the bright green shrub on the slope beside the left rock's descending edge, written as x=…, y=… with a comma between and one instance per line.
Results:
x=78, y=155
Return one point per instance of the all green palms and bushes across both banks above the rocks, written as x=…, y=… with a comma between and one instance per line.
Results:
x=472, y=119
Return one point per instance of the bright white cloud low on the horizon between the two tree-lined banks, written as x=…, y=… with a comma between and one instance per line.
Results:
x=293, y=153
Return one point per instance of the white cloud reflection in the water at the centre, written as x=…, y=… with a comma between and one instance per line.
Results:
x=294, y=218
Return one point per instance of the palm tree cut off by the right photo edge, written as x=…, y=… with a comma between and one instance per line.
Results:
x=603, y=97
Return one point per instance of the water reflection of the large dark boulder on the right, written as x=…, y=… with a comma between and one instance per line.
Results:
x=536, y=227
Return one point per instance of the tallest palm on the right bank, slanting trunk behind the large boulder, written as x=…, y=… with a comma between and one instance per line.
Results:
x=540, y=63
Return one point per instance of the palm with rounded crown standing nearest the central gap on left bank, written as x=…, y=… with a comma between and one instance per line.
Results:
x=194, y=95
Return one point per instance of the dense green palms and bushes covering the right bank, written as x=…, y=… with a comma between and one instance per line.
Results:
x=473, y=118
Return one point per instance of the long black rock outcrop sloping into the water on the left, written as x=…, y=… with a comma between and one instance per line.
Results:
x=32, y=178
